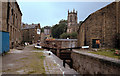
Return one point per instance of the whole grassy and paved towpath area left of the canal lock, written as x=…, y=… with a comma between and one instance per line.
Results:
x=28, y=61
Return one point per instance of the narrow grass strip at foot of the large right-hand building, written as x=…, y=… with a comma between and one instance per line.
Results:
x=106, y=53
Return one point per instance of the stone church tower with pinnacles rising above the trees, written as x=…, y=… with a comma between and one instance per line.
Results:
x=72, y=21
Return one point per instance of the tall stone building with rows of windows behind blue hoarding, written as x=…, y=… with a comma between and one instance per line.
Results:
x=10, y=19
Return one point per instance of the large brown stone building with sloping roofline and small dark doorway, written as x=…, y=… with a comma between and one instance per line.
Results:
x=101, y=29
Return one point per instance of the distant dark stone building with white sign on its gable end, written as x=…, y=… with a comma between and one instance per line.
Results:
x=30, y=33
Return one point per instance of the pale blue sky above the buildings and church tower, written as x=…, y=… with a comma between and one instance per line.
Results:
x=50, y=13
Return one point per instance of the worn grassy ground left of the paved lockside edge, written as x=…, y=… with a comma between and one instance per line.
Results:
x=31, y=64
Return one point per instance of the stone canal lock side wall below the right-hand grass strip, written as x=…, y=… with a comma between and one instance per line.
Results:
x=87, y=63
